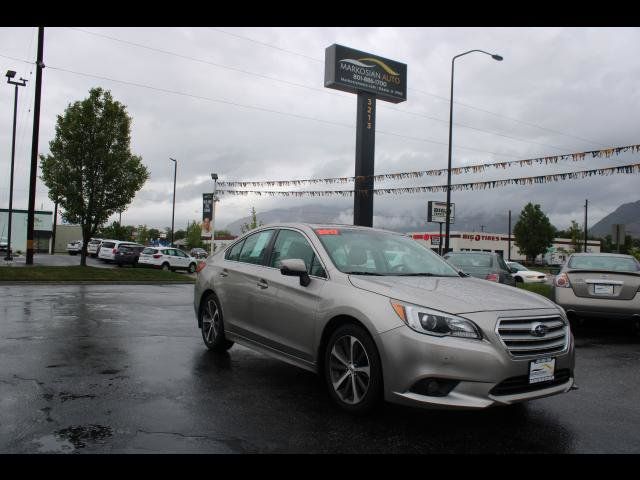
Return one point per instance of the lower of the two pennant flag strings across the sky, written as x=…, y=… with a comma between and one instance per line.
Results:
x=556, y=177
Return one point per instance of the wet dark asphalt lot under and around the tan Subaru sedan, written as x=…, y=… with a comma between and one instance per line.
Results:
x=122, y=369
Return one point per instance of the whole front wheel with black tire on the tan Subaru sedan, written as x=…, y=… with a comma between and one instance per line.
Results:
x=352, y=364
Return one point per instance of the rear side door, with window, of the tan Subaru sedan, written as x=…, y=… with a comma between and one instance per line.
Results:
x=237, y=282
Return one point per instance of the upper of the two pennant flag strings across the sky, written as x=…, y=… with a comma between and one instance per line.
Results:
x=605, y=153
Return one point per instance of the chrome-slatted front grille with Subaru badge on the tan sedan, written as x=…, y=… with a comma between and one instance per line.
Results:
x=517, y=334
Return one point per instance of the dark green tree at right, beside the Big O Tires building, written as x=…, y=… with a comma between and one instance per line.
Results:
x=533, y=231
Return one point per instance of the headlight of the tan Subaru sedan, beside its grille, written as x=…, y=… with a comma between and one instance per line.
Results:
x=433, y=322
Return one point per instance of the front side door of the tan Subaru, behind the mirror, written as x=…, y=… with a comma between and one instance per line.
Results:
x=284, y=312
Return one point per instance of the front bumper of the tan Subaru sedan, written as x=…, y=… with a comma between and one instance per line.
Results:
x=479, y=366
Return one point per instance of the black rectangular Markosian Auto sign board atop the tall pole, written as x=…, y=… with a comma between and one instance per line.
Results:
x=354, y=71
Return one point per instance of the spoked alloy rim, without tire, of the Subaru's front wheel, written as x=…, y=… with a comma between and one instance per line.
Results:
x=350, y=369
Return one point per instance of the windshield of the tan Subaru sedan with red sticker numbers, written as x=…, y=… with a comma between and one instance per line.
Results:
x=372, y=252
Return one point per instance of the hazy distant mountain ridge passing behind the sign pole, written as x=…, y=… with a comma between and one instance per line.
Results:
x=316, y=213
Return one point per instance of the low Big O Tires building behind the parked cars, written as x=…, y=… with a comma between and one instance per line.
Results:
x=499, y=243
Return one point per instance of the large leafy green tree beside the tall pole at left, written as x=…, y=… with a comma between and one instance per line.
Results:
x=90, y=169
